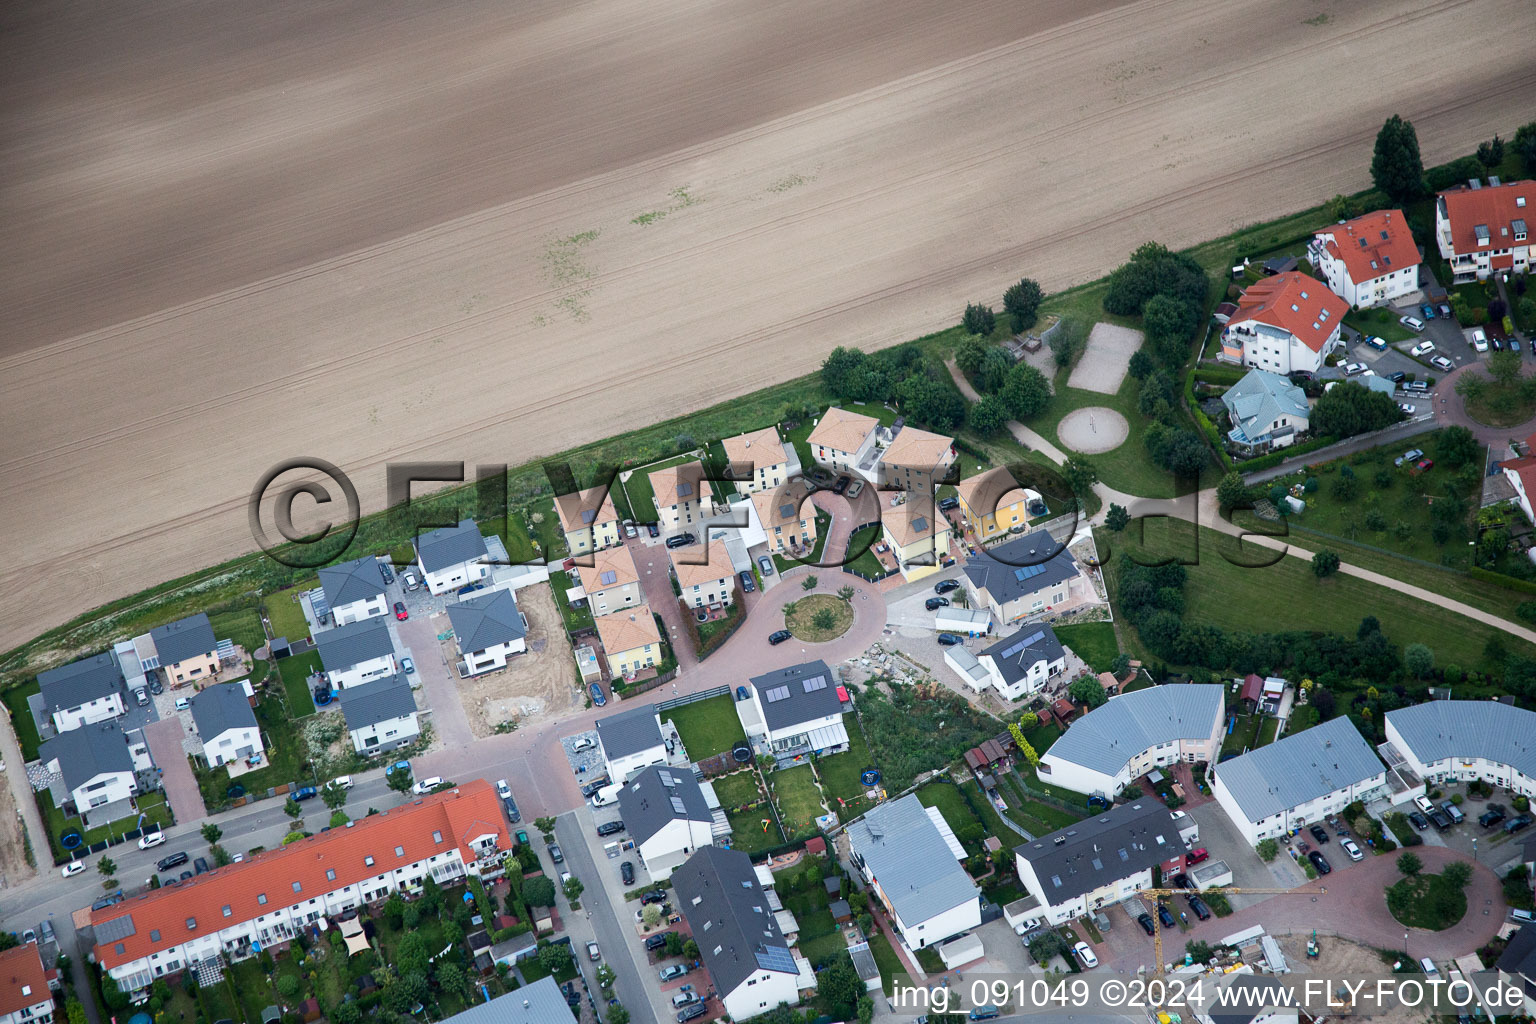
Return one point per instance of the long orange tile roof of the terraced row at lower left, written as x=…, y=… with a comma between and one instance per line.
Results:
x=460, y=816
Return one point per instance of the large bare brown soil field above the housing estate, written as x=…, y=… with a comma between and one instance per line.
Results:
x=369, y=233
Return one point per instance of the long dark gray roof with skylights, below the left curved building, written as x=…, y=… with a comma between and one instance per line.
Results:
x=1099, y=851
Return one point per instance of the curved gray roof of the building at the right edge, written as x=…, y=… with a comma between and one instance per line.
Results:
x=1469, y=728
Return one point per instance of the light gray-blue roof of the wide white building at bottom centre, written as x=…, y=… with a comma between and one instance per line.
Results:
x=912, y=860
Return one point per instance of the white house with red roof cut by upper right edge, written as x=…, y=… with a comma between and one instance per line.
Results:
x=1485, y=231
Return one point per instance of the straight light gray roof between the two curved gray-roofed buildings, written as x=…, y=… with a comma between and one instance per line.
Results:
x=1299, y=768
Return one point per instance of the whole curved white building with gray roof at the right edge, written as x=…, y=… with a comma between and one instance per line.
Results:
x=1468, y=739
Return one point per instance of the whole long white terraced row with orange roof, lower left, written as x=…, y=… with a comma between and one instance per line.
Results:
x=271, y=897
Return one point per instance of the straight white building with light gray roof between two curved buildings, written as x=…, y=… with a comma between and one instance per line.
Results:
x=1300, y=779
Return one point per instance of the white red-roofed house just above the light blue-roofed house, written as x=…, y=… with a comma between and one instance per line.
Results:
x=1285, y=325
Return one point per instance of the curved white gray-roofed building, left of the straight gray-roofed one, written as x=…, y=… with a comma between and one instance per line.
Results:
x=1136, y=733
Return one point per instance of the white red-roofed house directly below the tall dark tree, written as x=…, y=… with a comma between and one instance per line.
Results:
x=1371, y=260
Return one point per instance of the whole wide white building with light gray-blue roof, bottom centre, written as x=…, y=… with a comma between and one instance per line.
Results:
x=912, y=862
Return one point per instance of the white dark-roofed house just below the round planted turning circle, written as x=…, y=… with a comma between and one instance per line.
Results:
x=796, y=712
